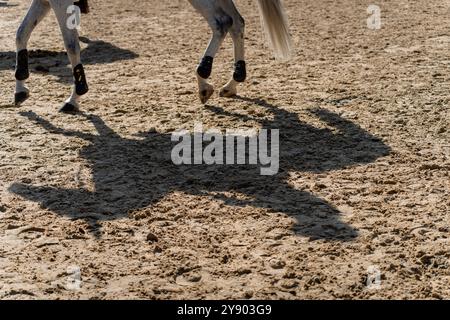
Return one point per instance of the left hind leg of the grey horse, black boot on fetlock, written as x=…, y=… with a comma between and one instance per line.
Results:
x=220, y=23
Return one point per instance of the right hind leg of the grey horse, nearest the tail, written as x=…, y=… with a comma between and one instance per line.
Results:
x=237, y=33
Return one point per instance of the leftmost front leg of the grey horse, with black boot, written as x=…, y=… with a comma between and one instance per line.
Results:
x=37, y=12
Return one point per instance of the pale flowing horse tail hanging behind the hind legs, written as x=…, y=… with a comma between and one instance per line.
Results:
x=276, y=26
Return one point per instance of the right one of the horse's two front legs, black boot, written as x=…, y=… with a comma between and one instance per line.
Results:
x=72, y=46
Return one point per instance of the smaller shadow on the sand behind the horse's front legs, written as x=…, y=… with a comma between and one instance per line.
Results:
x=56, y=63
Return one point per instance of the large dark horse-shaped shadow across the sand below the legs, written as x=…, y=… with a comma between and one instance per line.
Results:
x=133, y=174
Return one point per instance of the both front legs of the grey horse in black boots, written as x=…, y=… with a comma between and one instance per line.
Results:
x=38, y=10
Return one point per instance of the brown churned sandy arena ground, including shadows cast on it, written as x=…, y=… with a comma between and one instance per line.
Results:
x=364, y=183
